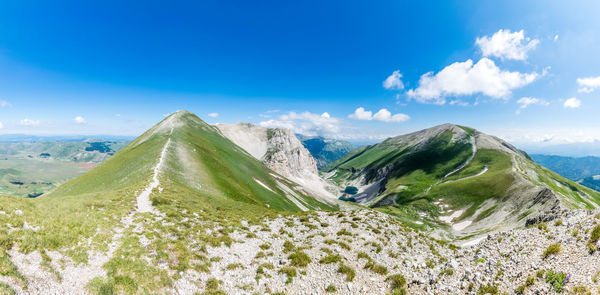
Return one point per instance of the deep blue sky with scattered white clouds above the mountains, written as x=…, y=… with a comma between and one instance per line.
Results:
x=69, y=67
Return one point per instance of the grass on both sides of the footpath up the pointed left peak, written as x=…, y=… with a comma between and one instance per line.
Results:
x=214, y=177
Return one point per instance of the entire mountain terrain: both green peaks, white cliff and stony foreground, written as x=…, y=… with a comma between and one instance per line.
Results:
x=189, y=207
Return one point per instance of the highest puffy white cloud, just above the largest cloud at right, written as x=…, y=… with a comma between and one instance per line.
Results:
x=507, y=45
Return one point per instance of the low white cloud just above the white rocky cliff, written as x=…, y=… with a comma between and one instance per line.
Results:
x=306, y=123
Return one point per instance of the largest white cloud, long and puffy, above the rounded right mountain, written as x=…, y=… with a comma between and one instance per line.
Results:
x=466, y=78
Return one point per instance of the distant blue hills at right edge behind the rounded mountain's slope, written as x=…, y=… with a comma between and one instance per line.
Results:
x=584, y=170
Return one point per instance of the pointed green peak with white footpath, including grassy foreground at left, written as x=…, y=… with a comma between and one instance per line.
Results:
x=134, y=223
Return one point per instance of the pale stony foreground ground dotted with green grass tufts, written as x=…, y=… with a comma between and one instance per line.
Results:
x=366, y=252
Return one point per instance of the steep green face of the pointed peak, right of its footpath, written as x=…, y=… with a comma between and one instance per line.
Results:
x=224, y=170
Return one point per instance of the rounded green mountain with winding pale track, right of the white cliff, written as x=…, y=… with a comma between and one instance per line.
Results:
x=455, y=178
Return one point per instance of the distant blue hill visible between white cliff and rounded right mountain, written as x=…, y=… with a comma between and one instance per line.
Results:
x=325, y=150
